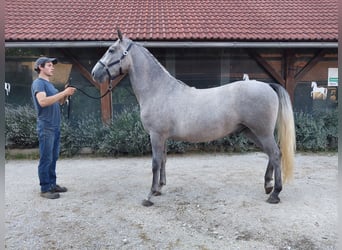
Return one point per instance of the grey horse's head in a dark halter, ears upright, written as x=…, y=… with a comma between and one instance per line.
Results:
x=114, y=62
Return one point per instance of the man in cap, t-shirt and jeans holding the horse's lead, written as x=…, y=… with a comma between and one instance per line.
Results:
x=46, y=99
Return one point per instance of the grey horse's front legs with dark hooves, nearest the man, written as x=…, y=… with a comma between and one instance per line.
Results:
x=158, y=167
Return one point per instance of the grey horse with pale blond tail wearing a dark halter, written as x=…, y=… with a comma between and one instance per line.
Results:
x=171, y=109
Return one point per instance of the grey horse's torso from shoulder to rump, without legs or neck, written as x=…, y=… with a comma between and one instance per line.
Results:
x=207, y=114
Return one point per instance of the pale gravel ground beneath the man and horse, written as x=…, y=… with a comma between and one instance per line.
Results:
x=211, y=201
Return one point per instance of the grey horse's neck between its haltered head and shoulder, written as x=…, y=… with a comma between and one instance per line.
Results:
x=147, y=75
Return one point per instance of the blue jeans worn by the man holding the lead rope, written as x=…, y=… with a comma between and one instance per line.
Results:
x=49, y=152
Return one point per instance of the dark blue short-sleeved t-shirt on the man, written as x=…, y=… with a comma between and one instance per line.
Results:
x=49, y=116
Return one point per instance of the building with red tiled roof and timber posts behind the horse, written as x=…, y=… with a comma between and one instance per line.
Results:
x=202, y=44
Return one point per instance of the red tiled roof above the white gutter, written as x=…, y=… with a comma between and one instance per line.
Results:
x=172, y=20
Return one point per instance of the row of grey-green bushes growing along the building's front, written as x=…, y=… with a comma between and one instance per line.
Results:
x=314, y=132
